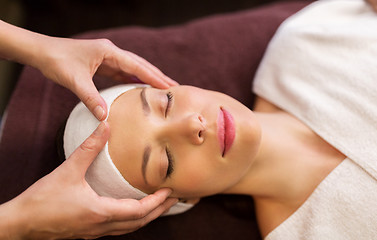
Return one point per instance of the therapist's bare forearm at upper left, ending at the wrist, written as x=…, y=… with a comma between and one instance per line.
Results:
x=20, y=45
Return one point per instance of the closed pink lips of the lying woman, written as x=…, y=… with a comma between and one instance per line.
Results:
x=226, y=130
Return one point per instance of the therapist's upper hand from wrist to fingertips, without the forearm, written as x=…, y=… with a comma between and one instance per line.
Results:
x=73, y=62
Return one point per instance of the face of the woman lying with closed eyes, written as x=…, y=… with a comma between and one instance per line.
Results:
x=174, y=138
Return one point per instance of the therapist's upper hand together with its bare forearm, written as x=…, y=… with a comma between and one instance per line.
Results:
x=72, y=62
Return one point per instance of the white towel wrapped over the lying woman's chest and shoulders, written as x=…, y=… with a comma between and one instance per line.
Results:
x=321, y=66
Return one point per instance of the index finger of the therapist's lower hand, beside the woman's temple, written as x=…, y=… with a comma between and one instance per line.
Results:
x=131, y=209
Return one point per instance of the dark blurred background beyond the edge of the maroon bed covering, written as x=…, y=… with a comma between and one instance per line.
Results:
x=65, y=18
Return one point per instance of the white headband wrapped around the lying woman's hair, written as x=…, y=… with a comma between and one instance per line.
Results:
x=102, y=175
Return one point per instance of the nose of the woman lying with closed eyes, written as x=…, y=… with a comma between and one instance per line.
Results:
x=191, y=127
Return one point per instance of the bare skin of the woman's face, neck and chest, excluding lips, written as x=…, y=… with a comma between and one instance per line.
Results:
x=275, y=158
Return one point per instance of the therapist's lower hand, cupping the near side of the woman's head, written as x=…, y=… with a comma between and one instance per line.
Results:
x=62, y=204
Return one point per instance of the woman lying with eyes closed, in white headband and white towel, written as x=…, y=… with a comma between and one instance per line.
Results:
x=306, y=153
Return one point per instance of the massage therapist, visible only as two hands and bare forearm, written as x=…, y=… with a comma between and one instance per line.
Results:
x=62, y=205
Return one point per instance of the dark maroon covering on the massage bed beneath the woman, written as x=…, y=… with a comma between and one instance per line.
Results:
x=220, y=53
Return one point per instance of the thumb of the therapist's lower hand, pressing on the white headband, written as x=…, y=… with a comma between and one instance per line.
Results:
x=85, y=154
